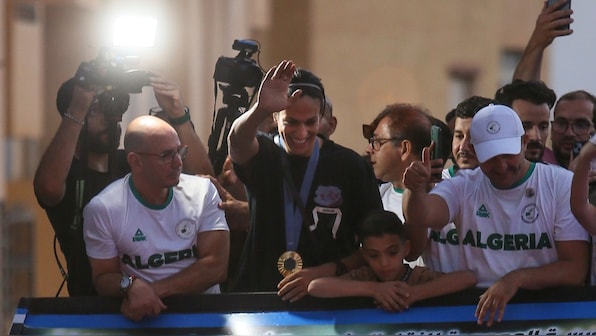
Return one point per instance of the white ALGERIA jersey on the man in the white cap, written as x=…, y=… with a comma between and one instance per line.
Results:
x=503, y=230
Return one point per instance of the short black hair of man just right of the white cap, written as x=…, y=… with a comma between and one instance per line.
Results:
x=535, y=92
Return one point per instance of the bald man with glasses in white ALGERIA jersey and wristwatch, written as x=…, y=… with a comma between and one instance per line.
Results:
x=156, y=232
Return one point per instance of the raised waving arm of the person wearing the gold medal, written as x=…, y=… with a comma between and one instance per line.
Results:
x=272, y=97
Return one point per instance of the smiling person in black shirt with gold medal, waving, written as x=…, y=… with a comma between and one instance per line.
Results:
x=306, y=193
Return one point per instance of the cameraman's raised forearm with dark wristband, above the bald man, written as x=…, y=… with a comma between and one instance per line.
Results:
x=167, y=94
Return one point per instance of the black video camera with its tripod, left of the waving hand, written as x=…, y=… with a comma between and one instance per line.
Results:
x=234, y=75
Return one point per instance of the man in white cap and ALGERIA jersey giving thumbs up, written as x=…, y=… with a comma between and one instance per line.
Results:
x=513, y=216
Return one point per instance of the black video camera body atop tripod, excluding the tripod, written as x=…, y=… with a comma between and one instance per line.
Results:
x=242, y=70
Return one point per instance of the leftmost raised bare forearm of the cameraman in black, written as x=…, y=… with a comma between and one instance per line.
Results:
x=49, y=183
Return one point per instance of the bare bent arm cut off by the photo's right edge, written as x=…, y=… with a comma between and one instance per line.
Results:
x=582, y=210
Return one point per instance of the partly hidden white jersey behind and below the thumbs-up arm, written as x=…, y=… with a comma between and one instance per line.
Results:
x=442, y=253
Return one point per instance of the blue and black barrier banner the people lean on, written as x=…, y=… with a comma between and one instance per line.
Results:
x=569, y=311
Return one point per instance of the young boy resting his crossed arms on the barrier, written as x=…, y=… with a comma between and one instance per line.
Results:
x=394, y=285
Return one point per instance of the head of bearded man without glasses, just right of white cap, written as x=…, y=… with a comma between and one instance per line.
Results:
x=532, y=100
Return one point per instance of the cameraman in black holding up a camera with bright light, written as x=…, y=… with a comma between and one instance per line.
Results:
x=82, y=158
